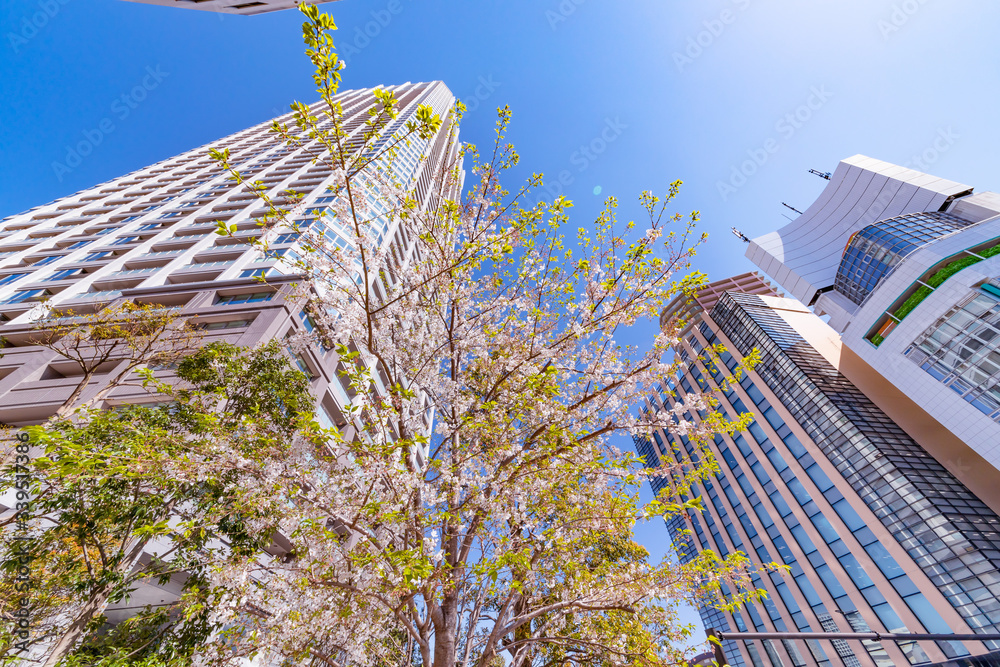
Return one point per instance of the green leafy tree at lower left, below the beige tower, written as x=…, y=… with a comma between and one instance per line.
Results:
x=111, y=511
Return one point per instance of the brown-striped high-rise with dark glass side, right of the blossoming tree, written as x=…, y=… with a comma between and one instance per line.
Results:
x=877, y=535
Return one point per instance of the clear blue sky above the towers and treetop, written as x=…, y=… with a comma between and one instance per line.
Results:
x=684, y=90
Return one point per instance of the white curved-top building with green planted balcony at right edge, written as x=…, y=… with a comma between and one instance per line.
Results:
x=907, y=267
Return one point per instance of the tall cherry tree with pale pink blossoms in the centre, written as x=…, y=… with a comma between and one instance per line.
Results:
x=503, y=534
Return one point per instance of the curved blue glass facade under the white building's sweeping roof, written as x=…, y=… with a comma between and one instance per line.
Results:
x=875, y=250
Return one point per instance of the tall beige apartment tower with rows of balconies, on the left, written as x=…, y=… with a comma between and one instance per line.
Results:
x=150, y=238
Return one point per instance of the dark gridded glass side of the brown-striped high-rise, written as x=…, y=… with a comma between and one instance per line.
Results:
x=876, y=458
